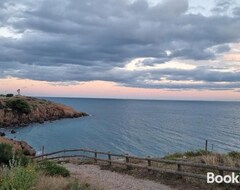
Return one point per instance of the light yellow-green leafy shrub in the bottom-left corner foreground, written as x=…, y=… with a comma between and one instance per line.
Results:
x=19, y=178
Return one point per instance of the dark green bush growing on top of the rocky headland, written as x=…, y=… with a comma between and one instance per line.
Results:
x=20, y=106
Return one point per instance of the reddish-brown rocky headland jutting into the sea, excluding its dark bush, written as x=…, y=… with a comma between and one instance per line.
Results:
x=40, y=110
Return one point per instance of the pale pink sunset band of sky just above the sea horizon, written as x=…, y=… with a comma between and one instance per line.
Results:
x=101, y=89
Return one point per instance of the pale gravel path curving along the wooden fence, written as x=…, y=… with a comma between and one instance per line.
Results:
x=108, y=180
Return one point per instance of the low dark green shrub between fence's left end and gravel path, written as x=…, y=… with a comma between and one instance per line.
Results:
x=52, y=169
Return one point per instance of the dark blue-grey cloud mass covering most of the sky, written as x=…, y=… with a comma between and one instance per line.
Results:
x=87, y=40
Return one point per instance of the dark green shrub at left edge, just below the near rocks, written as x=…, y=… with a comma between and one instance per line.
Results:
x=6, y=153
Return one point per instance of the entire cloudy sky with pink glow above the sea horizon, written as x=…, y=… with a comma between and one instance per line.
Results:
x=140, y=49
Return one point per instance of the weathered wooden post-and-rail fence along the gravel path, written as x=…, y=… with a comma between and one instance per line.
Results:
x=62, y=154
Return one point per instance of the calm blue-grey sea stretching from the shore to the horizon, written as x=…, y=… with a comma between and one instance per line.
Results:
x=139, y=127
